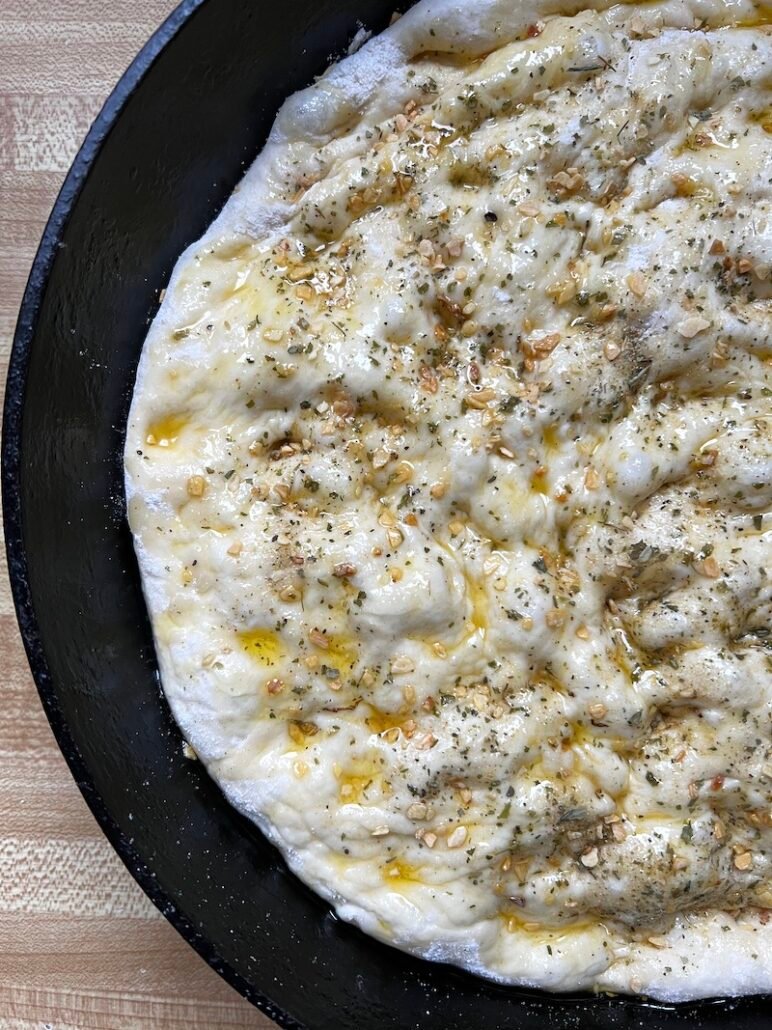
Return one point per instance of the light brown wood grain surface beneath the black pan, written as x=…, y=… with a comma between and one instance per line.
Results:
x=82, y=948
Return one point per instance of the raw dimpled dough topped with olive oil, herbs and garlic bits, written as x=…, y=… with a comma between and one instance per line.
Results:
x=449, y=474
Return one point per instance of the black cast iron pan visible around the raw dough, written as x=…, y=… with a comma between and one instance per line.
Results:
x=163, y=157
